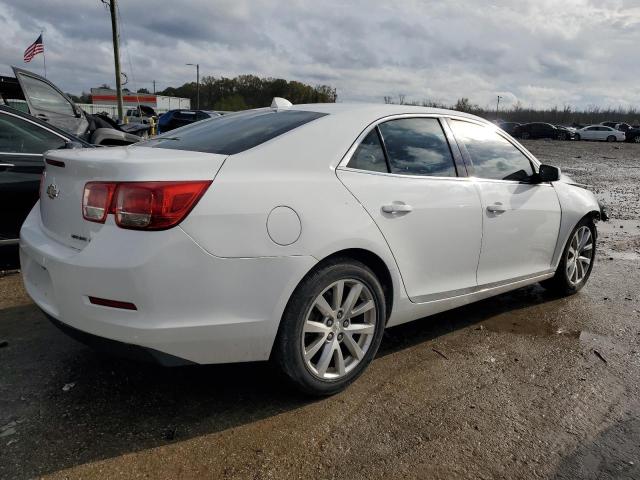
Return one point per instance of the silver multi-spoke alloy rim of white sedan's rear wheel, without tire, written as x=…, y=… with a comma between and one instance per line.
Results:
x=339, y=328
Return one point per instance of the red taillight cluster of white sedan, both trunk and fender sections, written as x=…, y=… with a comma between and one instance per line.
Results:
x=142, y=205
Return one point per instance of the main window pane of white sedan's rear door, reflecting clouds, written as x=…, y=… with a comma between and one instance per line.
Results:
x=417, y=146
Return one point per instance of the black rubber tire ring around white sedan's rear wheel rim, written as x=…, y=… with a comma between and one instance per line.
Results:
x=289, y=352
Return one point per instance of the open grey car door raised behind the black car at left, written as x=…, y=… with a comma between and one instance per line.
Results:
x=48, y=103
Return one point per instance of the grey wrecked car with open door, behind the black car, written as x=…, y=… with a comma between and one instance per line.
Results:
x=48, y=103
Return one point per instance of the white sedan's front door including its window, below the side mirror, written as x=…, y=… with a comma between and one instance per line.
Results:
x=521, y=220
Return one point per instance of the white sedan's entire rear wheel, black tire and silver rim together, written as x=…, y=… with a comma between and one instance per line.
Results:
x=332, y=327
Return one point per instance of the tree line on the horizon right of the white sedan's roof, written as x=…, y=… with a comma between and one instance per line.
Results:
x=565, y=115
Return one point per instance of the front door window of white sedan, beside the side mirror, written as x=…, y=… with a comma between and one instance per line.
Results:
x=492, y=155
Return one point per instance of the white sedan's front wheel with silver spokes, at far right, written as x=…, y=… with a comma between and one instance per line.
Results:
x=573, y=271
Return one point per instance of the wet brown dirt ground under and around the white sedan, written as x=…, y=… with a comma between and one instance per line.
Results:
x=523, y=385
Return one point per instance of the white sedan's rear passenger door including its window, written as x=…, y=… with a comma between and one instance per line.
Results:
x=403, y=172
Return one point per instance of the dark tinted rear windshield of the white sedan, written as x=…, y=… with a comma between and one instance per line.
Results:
x=234, y=133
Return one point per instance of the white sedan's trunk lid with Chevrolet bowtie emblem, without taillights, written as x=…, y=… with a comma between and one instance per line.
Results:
x=63, y=186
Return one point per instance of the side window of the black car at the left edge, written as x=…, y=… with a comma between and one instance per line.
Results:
x=20, y=136
